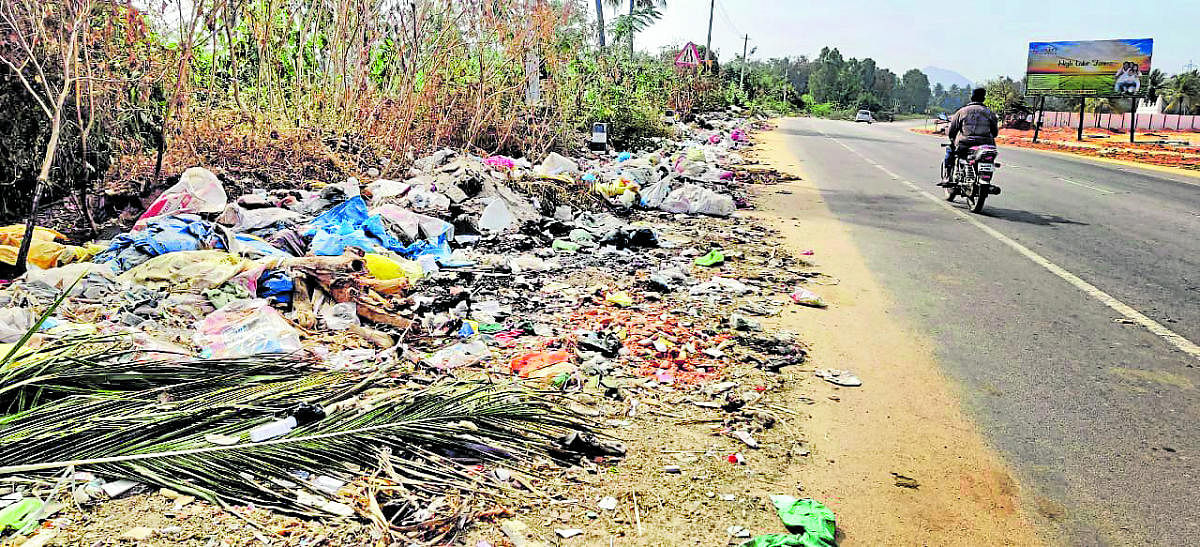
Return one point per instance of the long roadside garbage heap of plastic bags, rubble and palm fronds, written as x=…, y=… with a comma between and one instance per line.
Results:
x=428, y=333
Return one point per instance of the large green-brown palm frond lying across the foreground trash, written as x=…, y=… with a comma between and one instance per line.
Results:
x=430, y=436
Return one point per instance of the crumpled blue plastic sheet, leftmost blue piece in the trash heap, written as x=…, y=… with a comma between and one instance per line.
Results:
x=163, y=236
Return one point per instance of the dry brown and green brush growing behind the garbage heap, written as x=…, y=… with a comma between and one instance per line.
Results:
x=106, y=100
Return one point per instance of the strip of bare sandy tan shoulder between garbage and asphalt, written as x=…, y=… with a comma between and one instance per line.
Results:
x=905, y=419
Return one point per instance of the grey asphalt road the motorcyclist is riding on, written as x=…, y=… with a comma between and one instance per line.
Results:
x=1099, y=416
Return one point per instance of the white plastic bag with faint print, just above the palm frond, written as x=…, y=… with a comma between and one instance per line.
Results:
x=245, y=328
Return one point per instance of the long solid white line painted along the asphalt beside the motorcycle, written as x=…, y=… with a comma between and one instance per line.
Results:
x=1154, y=327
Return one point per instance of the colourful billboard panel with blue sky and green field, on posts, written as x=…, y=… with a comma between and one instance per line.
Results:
x=1096, y=68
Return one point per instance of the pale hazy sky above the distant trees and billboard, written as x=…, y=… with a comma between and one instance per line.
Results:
x=980, y=40
